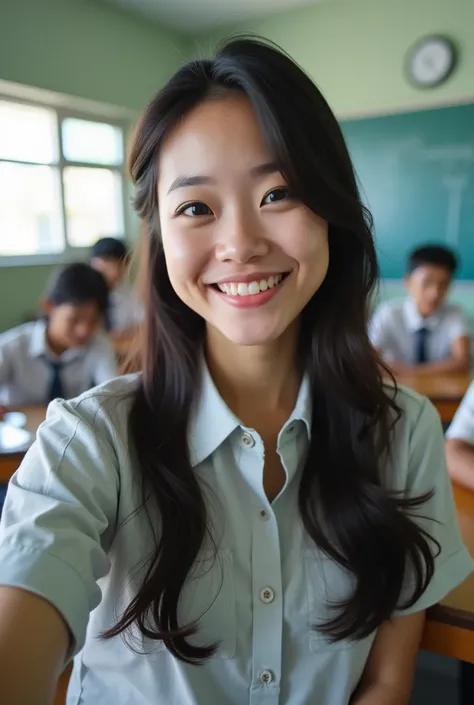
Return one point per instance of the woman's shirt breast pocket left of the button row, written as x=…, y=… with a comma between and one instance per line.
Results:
x=208, y=598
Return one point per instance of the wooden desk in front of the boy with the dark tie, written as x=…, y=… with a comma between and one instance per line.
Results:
x=444, y=391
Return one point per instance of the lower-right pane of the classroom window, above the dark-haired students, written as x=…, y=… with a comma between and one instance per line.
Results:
x=93, y=200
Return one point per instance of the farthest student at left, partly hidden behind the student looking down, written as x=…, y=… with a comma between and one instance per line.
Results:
x=110, y=257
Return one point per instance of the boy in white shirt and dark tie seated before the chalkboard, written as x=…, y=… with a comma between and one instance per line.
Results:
x=423, y=334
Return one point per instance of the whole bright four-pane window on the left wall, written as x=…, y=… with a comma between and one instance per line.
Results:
x=61, y=182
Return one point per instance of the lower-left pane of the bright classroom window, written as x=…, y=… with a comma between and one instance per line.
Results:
x=30, y=210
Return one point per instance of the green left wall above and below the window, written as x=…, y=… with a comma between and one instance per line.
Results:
x=82, y=48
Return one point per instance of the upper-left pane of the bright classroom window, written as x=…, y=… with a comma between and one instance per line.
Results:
x=28, y=133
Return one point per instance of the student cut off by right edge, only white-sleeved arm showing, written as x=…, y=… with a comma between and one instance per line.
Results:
x=460, y=443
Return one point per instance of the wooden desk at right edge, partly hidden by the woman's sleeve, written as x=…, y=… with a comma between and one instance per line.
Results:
x=450, y=625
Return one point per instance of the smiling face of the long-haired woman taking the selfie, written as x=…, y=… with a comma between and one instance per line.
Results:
x=241, y=251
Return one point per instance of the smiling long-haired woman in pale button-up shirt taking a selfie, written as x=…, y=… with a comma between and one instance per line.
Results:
x=225, y=528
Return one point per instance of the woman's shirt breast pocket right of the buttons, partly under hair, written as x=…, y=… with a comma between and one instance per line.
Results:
x=328, y=584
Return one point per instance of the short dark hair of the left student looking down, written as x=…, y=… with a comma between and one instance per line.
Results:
x=78, y=284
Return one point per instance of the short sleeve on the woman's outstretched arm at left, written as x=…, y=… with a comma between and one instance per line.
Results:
x=61, y=504
